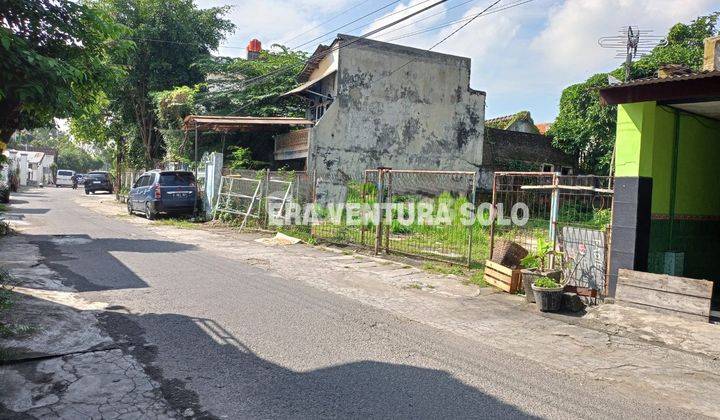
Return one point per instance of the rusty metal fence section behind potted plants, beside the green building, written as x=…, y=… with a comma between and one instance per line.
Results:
x=571, y=212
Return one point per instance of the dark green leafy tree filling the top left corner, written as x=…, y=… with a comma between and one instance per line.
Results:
x=55, y=53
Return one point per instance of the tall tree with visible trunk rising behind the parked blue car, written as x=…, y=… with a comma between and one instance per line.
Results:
x=170, y=36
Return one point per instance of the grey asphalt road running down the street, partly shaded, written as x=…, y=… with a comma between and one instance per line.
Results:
x=233, y=341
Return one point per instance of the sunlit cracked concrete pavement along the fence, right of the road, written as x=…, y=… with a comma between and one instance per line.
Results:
x=607, y=345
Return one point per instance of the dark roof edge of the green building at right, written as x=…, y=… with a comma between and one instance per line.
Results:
x=683, y=87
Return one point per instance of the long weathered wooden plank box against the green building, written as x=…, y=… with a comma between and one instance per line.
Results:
x=672, y=295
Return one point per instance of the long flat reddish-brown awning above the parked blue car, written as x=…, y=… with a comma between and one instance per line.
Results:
x=232, y=123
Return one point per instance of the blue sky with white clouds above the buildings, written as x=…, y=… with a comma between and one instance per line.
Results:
x=523, y=52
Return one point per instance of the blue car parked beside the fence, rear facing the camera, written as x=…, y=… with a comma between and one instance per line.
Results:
x=170, y=192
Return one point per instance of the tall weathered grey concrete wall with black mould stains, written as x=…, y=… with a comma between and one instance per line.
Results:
x=422, y=116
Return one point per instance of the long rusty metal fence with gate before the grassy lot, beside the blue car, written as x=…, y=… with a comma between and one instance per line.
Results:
x=385, y=227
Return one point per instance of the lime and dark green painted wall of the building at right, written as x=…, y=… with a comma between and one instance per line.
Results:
x=645, y=142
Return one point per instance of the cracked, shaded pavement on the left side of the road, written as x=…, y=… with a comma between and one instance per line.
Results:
x=68, y=368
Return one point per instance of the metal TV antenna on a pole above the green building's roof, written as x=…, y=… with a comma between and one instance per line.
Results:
x=631, y=43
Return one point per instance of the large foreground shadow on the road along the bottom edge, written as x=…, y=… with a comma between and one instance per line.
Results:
x=230, y=375
